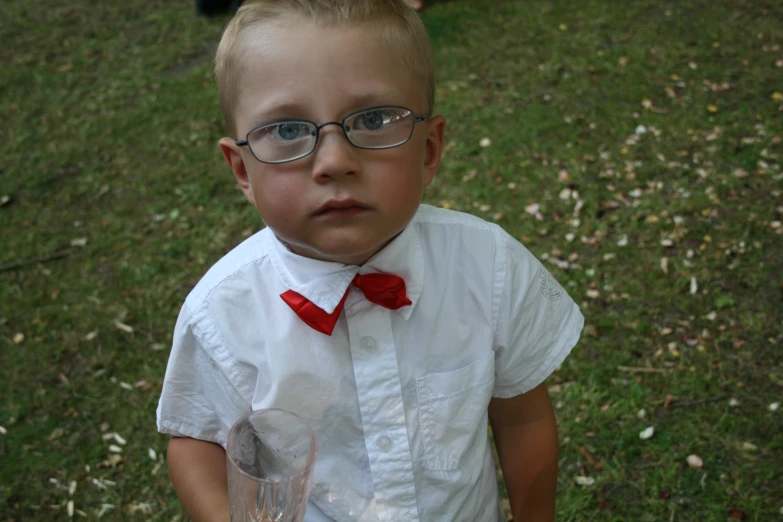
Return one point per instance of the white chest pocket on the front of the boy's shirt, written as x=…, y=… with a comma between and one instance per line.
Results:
x=453, y=412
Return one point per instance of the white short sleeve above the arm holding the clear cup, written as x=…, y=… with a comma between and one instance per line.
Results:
x=198, y=400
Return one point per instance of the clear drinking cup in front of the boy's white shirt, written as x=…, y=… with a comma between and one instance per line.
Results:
x=270, y=457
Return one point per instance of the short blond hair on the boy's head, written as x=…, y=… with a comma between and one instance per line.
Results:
x=403, y=29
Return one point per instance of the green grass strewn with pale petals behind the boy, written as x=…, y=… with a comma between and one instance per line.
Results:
x=660, y=121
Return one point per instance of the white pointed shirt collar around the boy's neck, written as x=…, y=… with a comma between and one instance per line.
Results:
x=324, y=283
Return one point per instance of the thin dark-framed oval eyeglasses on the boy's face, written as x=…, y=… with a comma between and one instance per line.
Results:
x=289, y=140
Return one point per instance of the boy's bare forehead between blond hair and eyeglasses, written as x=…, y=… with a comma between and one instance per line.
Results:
x=320, y=72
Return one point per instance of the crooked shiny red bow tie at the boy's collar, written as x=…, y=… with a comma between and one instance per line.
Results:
x=384, y=289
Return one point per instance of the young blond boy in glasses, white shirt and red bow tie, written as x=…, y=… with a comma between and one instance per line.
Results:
x=398, y=330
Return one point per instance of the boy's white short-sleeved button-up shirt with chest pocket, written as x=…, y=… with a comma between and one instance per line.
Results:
x=398, y=398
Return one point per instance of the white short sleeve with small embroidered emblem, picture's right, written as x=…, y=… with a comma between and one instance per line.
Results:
x=537, y=321
